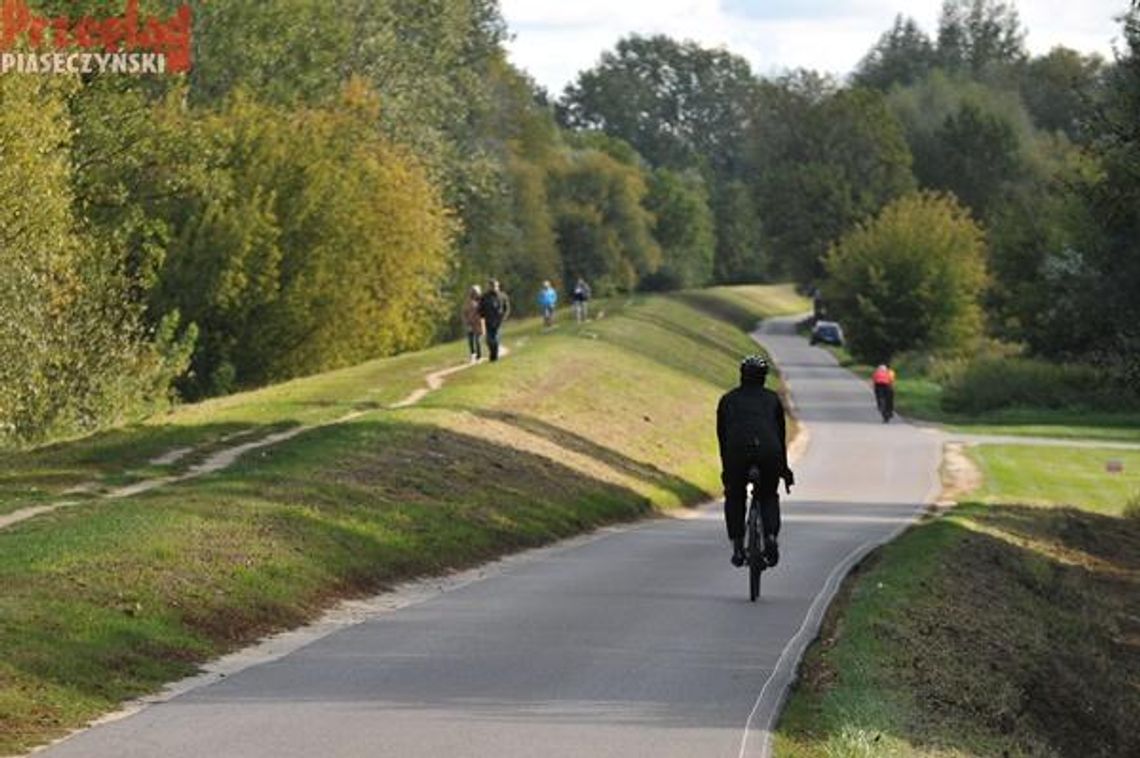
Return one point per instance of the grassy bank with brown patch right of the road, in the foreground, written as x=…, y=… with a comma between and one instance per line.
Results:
x=996, y=630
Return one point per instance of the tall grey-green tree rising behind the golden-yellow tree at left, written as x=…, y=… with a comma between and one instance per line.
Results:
x=437, y=67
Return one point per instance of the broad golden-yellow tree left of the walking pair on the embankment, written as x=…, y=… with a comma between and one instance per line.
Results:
x=310, y=242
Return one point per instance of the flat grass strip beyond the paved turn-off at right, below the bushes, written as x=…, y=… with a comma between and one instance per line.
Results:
x=921, y=397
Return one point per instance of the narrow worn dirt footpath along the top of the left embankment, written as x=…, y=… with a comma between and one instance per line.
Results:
x=226, y=458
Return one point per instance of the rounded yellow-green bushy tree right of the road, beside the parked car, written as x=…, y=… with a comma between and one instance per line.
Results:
x=910, y=279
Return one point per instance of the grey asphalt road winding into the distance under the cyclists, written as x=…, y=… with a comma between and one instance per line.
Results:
x=641, y=642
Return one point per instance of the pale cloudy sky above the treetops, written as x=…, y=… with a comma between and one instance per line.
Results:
x=556, y=39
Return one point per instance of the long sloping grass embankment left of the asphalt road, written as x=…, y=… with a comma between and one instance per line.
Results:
x=581, y=427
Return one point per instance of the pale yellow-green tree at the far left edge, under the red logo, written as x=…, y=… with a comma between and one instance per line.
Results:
x=77, y=356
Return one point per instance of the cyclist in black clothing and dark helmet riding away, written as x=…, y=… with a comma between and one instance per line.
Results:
x=751, y=430
